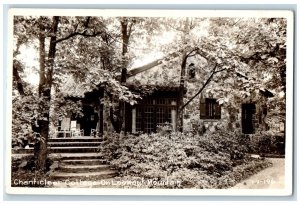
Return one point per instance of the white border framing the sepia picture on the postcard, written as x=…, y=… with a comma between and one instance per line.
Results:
x=160, y=13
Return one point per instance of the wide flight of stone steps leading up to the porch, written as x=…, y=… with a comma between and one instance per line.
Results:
x=78, y=159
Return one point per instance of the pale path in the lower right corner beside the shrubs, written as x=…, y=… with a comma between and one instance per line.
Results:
x=269, y=178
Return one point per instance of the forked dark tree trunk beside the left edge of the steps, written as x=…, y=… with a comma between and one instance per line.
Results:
x=46, y=72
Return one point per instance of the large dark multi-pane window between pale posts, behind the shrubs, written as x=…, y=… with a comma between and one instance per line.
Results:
x=153, y=112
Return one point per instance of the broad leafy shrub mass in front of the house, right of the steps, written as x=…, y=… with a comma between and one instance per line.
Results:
x=196, y=161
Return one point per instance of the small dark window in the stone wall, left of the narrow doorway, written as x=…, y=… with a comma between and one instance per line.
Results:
x=210, y=109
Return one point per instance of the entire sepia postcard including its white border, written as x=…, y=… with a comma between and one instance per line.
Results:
x=150, y=101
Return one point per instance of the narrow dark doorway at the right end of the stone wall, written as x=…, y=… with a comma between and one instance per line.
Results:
x=248, y=111
